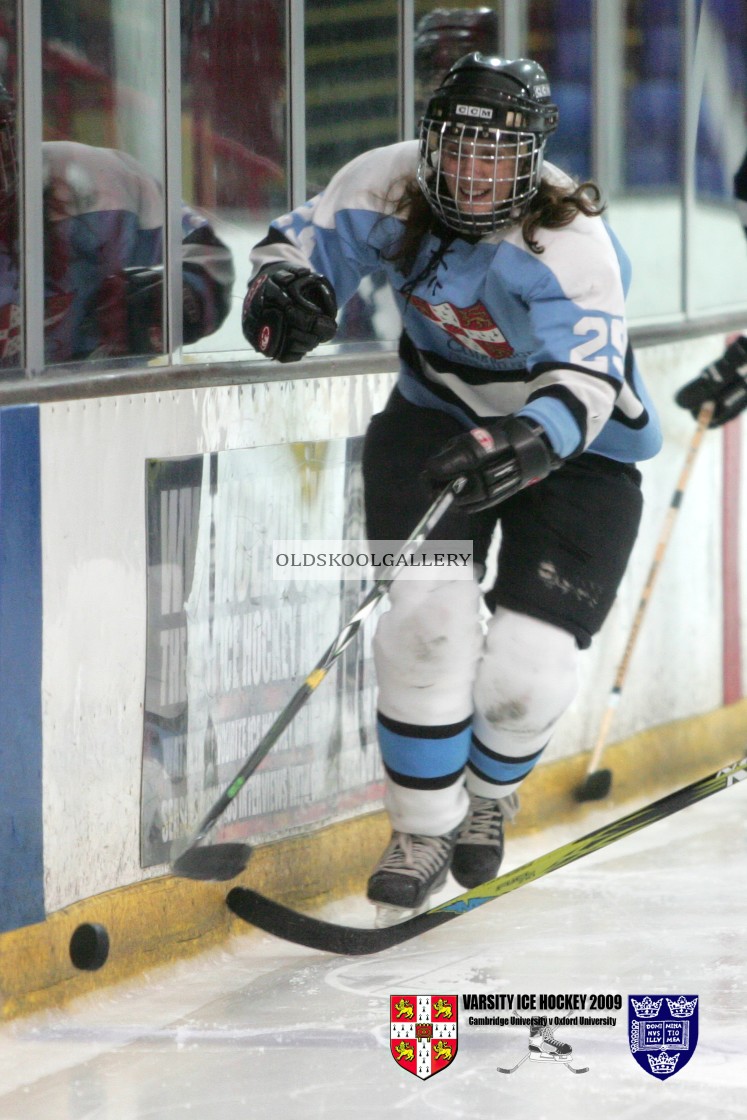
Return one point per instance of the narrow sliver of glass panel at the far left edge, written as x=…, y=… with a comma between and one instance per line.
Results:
x=11, y=307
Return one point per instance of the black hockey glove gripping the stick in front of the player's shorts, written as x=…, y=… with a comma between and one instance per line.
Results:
x=497, y=462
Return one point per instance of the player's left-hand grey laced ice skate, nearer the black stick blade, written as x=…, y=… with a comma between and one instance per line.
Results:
x=412, y=869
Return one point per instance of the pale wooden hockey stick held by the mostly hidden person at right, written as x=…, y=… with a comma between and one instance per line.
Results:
x=597, y=782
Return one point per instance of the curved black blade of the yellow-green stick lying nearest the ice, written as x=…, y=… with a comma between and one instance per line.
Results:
x=326, y=937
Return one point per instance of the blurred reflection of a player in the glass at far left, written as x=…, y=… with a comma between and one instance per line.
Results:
x=104, y=218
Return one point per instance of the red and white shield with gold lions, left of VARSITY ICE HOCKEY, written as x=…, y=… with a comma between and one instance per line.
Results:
x=424, y=1033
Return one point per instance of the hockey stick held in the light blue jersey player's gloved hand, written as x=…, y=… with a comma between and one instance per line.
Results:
x=225, y=862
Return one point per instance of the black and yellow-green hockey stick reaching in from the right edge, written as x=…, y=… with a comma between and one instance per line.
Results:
x=314, y=934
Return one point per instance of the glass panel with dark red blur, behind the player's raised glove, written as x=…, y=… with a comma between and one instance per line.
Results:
x=235, y=92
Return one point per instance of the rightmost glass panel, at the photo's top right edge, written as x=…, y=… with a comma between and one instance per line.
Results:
x=718, y=258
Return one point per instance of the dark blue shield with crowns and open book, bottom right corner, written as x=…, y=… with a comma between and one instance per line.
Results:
x=662, y=1033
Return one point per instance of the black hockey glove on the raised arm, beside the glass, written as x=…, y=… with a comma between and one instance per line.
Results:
x=288, y=311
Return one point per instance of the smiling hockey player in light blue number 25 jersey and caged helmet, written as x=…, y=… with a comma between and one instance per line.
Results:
x=515, y=370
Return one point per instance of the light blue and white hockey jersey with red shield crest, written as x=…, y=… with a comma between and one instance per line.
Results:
x=493, y=329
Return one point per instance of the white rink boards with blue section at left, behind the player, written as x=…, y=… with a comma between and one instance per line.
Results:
x=142, y=658
